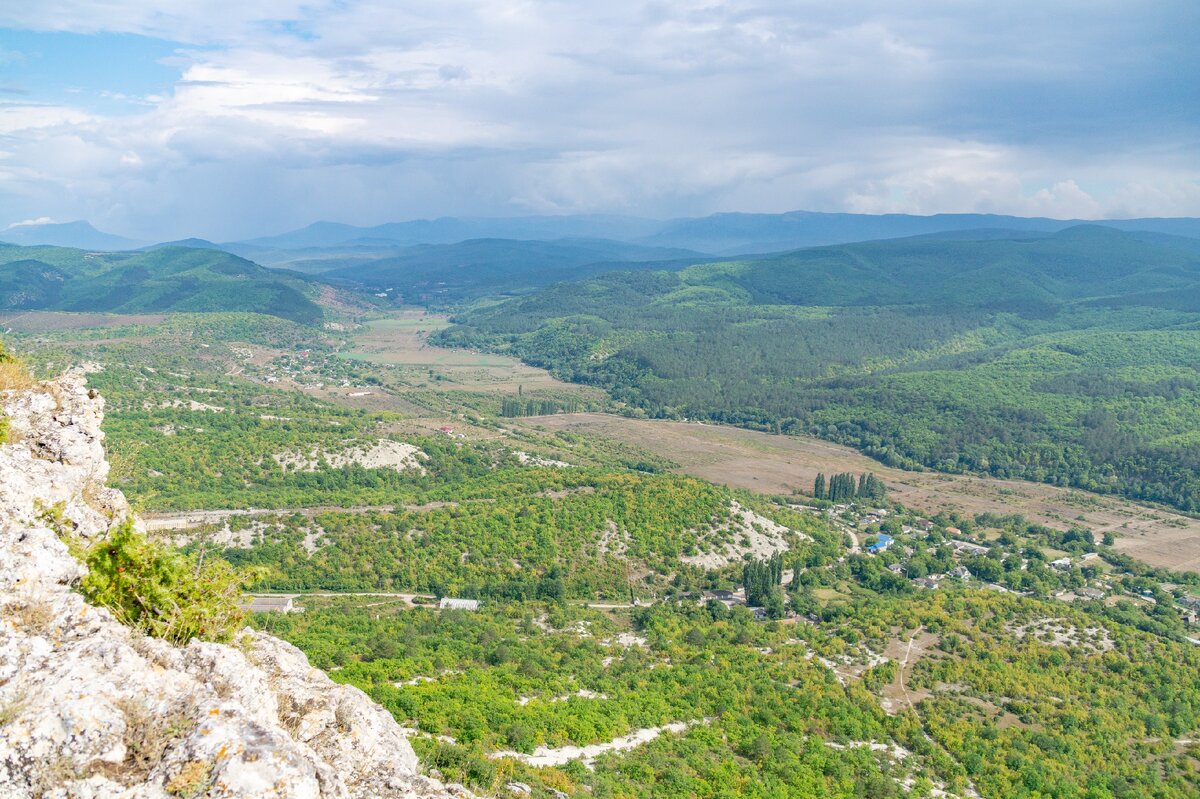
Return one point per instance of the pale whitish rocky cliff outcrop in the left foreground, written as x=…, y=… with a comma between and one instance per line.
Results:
x=92, y=710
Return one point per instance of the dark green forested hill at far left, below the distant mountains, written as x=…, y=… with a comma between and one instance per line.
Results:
x=169, y=279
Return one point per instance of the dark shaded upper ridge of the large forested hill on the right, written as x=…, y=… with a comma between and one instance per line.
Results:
x=1018, y=274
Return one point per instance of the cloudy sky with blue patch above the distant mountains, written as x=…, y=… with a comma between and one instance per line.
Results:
x=229, y=119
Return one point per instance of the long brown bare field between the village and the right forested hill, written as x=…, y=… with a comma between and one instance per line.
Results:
x=777, y=465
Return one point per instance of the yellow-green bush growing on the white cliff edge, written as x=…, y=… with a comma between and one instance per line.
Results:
x=160, y=591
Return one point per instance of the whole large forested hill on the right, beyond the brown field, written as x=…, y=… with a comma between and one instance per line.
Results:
x=1070, y=358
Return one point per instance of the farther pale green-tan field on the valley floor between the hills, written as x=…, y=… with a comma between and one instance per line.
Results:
x=400, y=341
